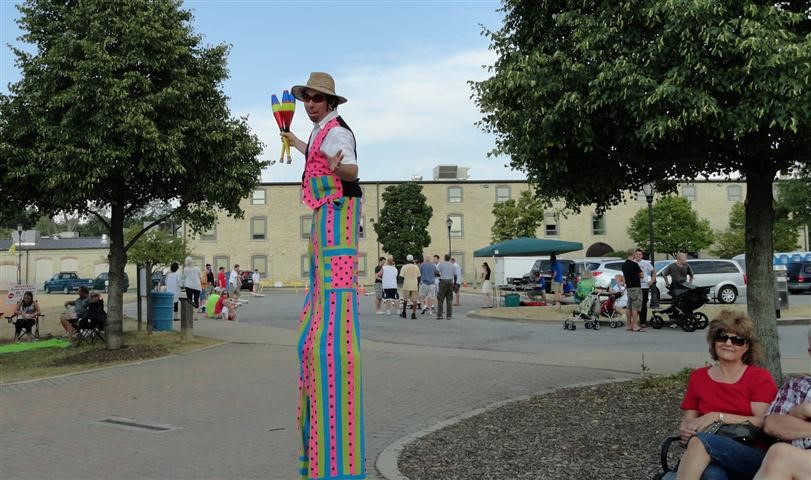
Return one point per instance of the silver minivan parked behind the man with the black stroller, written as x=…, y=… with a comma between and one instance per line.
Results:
x=725, y=278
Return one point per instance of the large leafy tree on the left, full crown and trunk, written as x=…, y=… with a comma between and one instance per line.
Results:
x=121, y=105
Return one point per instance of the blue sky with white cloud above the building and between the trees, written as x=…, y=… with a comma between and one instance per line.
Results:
x=403, y=65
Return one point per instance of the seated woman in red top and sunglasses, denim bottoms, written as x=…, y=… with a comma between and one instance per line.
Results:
x=734, y=390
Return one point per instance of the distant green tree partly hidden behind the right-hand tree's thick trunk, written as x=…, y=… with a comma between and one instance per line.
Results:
x=730, y=241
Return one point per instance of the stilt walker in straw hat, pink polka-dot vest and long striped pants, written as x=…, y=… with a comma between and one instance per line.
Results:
x=330, y=188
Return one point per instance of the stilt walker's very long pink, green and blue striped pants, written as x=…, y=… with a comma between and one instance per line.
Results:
x=330, y=385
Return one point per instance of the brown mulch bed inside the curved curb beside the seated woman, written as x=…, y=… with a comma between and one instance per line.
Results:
x=610, y=431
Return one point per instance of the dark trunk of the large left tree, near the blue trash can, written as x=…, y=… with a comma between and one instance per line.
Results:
x=117, y=260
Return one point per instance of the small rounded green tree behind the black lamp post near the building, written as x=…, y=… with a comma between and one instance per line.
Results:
x=676, y=227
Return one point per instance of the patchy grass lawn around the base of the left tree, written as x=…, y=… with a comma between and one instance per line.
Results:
x=46, y=362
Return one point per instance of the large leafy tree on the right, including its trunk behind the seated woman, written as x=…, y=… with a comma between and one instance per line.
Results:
x=593, y=99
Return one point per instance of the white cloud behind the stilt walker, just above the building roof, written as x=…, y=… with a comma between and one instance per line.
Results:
x=408, y=118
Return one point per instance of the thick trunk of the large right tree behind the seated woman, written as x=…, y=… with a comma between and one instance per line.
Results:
x=759, y=259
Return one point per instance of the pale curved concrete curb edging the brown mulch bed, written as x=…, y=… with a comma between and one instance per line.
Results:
x=386, y=463
